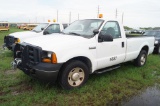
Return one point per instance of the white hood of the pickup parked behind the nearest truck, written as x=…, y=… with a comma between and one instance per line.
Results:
x=24, y=35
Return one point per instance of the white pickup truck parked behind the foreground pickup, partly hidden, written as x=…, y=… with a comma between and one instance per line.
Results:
x=41, y=29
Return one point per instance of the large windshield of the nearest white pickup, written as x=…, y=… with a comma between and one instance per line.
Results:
x=83, y=27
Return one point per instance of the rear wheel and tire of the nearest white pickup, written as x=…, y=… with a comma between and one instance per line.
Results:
x=141, y=59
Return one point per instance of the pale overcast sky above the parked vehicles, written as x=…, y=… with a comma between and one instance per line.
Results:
x=137, y=13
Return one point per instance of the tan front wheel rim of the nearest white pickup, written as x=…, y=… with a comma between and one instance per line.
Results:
x=76, y=76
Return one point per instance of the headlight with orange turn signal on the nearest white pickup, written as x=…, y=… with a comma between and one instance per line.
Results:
x=49, y=57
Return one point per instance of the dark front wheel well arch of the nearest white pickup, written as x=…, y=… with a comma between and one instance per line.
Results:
x=85, y=60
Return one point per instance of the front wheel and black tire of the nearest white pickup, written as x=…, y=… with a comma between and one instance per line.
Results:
x=73, y=75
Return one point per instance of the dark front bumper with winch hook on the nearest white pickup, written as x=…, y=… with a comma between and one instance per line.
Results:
x=45, y=72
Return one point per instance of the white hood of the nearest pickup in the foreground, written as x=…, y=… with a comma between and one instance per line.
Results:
x=58, y=41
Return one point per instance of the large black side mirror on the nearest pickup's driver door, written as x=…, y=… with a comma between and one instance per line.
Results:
x=105, y=38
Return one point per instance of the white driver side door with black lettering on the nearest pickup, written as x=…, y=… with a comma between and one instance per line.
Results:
x=110, y=53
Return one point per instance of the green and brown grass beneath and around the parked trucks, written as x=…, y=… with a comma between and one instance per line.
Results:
x=109, y=88
